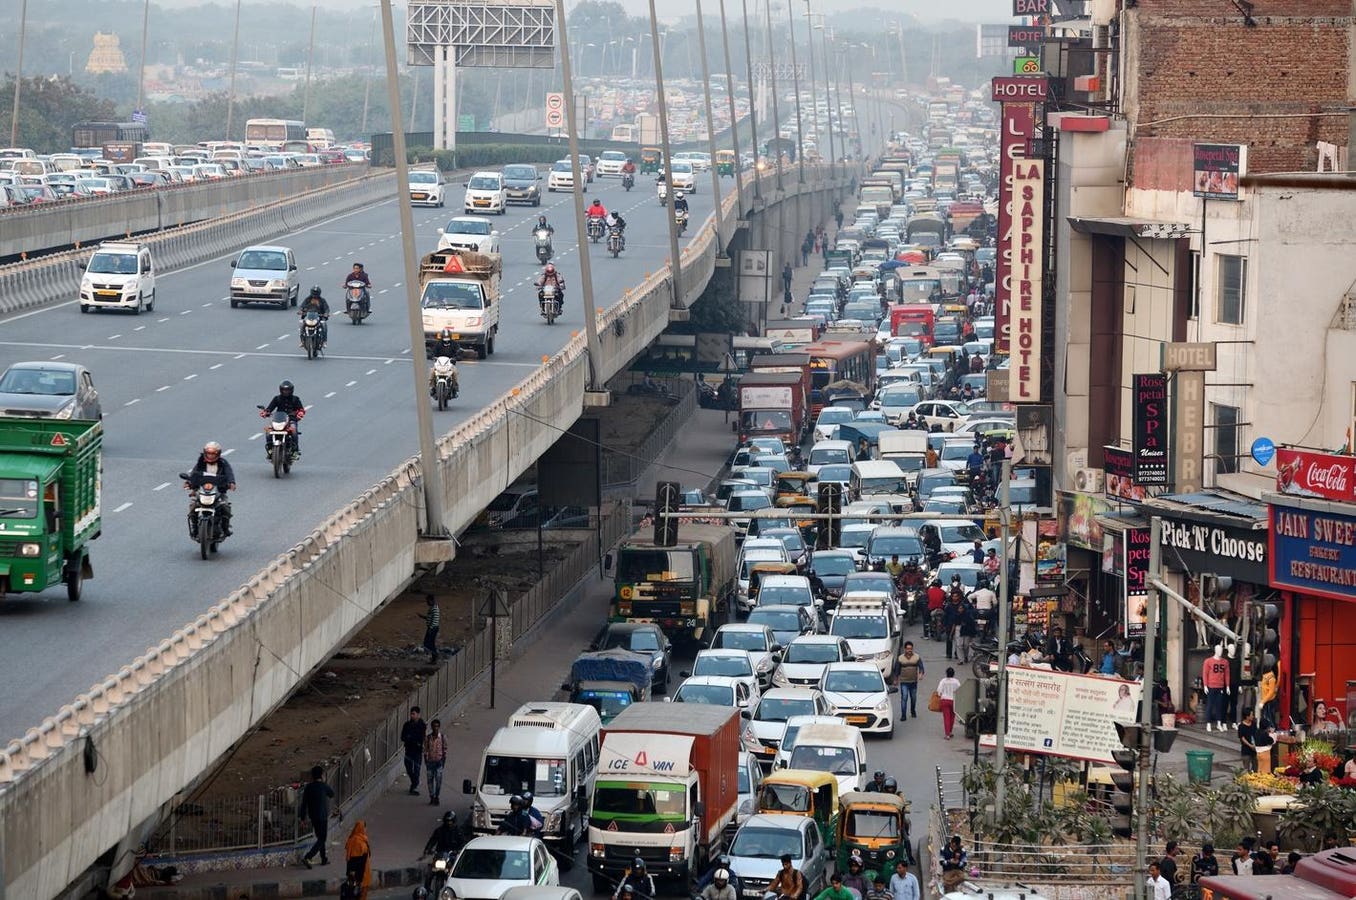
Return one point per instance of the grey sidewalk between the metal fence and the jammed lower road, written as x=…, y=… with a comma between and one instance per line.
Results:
x=398, y=823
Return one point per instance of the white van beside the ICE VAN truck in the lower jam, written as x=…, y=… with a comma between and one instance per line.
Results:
x=550, y=750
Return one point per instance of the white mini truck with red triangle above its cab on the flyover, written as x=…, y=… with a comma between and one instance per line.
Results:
x=460, y=291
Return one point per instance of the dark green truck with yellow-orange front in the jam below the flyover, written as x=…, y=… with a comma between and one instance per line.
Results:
x=679, y=588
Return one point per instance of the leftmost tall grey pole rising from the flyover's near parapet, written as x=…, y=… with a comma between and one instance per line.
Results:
x=432, y=475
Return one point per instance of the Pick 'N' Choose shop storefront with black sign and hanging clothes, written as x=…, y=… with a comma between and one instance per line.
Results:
x=1214, y=554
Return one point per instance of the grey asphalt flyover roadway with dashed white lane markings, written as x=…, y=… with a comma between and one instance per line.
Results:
x=195, y=371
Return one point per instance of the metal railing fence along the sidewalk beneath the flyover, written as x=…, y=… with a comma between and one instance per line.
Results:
x=271, y=819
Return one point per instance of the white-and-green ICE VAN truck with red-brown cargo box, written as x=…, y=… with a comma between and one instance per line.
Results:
x=668, y=787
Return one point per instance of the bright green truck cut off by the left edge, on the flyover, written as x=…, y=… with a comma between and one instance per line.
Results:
x=49, y=504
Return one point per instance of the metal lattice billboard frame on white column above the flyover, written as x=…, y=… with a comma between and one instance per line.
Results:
x=450, y=35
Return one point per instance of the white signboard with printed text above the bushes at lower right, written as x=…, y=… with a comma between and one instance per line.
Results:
x=1066, y=715
